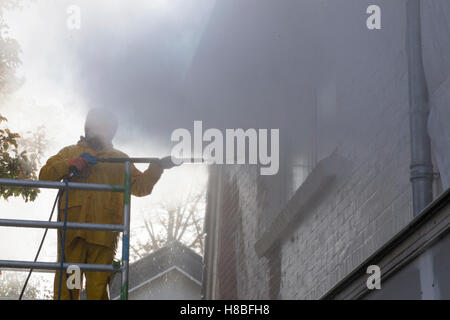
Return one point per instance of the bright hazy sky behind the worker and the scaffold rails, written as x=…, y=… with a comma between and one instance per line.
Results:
x=127, y=56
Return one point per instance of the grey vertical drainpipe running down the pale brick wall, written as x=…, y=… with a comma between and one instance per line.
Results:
x=421, y=168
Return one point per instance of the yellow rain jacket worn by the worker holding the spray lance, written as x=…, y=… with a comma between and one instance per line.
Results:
x=97, y=206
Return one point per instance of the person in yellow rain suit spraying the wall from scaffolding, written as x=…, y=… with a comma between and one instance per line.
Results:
x=94, y=247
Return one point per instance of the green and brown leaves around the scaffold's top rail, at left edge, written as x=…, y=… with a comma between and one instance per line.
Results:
x=16, y=163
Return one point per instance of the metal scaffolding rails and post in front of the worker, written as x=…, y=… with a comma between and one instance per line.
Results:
x=124, y=228
